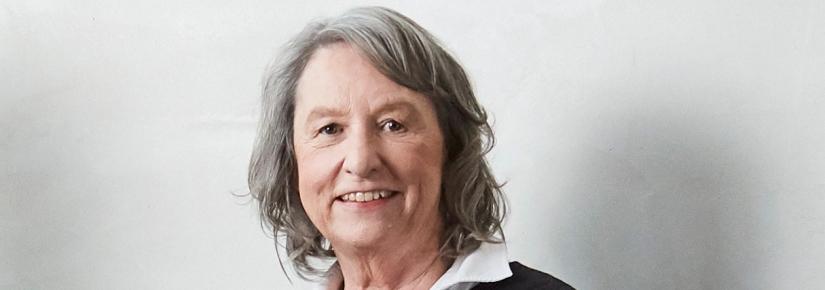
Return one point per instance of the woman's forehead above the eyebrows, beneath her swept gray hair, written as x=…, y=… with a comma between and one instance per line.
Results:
x=337, y=74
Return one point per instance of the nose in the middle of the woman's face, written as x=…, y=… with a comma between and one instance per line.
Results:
x=362, y=159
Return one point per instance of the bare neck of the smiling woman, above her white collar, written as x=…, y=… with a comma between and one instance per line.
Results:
x=404, y=265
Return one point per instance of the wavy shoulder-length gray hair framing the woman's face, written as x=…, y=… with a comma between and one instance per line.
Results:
x=472, y=204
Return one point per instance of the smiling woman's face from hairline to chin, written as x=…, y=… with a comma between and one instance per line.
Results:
x=369, y=153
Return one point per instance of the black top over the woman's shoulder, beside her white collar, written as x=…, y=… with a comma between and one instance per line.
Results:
x=524, y=278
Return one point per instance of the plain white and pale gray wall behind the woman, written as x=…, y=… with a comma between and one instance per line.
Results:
x=647, y=144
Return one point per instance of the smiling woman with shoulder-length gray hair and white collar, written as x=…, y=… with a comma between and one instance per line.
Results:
x=371, y=151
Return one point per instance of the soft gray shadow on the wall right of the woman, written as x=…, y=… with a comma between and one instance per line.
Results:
x=667, y=197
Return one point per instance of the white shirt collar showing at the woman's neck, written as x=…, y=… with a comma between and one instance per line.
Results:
x=488, y=263
